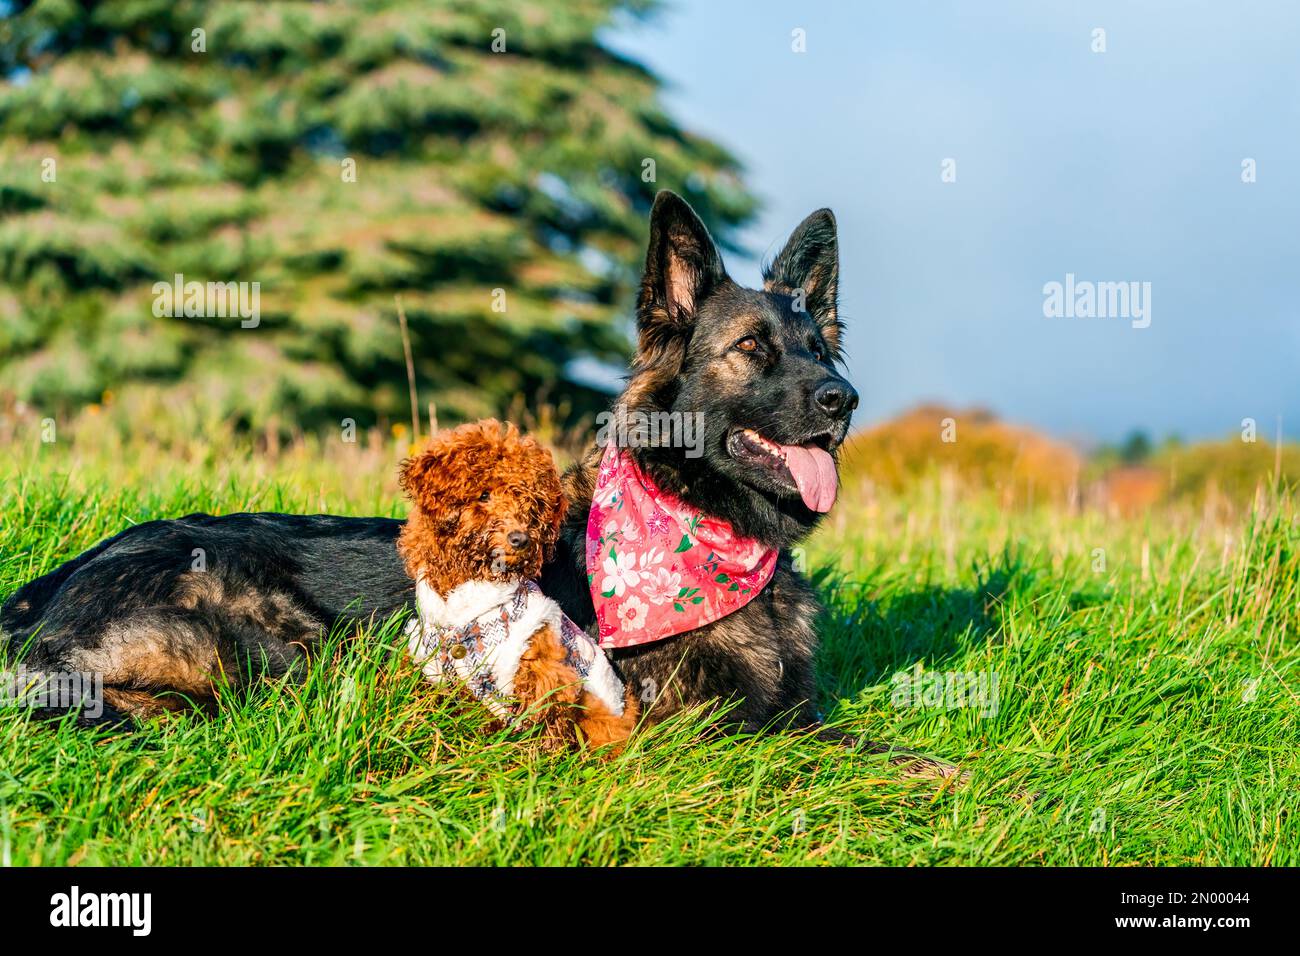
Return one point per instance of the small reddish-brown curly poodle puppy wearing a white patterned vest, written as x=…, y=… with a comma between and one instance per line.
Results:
x=487, y=511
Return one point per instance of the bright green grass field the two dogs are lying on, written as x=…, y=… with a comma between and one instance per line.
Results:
x=1147, y=713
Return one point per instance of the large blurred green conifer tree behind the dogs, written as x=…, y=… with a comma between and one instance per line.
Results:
x=491, y=162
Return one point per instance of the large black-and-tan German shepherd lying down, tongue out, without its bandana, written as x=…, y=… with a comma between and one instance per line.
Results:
x=760, y=366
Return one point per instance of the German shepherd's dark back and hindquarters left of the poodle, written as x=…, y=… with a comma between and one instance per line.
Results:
x=170, y=611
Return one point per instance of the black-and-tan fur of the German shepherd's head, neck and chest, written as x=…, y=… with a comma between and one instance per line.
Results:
x=691, y=319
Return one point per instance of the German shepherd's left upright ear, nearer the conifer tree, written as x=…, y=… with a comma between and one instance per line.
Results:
x=682, y=267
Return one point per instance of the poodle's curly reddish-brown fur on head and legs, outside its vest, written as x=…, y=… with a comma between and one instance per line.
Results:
x=488, y=505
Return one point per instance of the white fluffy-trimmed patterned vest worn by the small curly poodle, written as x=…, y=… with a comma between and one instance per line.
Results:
x=480, y=631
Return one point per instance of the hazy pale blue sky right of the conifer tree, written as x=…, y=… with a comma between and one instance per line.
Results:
x=1124, y=166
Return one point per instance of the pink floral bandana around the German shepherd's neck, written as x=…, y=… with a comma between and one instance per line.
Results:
x=656, y=566
